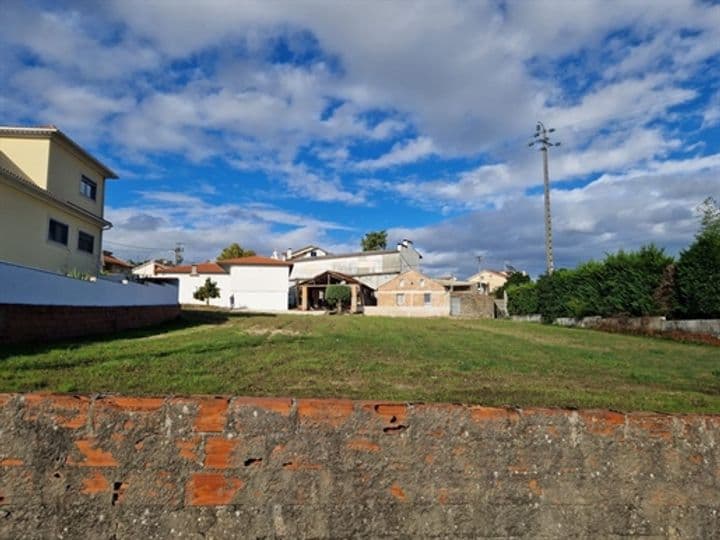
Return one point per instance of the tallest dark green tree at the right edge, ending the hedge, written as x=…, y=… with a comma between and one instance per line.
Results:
x=698, y=269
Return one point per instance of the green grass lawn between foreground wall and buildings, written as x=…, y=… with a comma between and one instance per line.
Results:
x=470, y=361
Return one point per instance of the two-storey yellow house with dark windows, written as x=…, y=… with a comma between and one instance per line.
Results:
x=52, y=195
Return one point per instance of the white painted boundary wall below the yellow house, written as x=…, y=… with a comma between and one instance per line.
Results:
x=23, y=285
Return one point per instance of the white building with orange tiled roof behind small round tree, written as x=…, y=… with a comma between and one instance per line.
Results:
x=254, y=283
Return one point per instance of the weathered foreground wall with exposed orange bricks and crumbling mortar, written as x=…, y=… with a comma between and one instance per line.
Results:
x=122, y=467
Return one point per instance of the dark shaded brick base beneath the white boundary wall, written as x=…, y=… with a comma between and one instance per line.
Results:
x=21, y=322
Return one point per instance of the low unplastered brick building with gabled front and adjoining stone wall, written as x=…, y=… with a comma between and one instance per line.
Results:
x=413, y=294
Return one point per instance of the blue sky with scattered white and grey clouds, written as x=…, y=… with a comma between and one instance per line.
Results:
x=280, y=124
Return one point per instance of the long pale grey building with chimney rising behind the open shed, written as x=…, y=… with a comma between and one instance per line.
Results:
x=372, y=268
